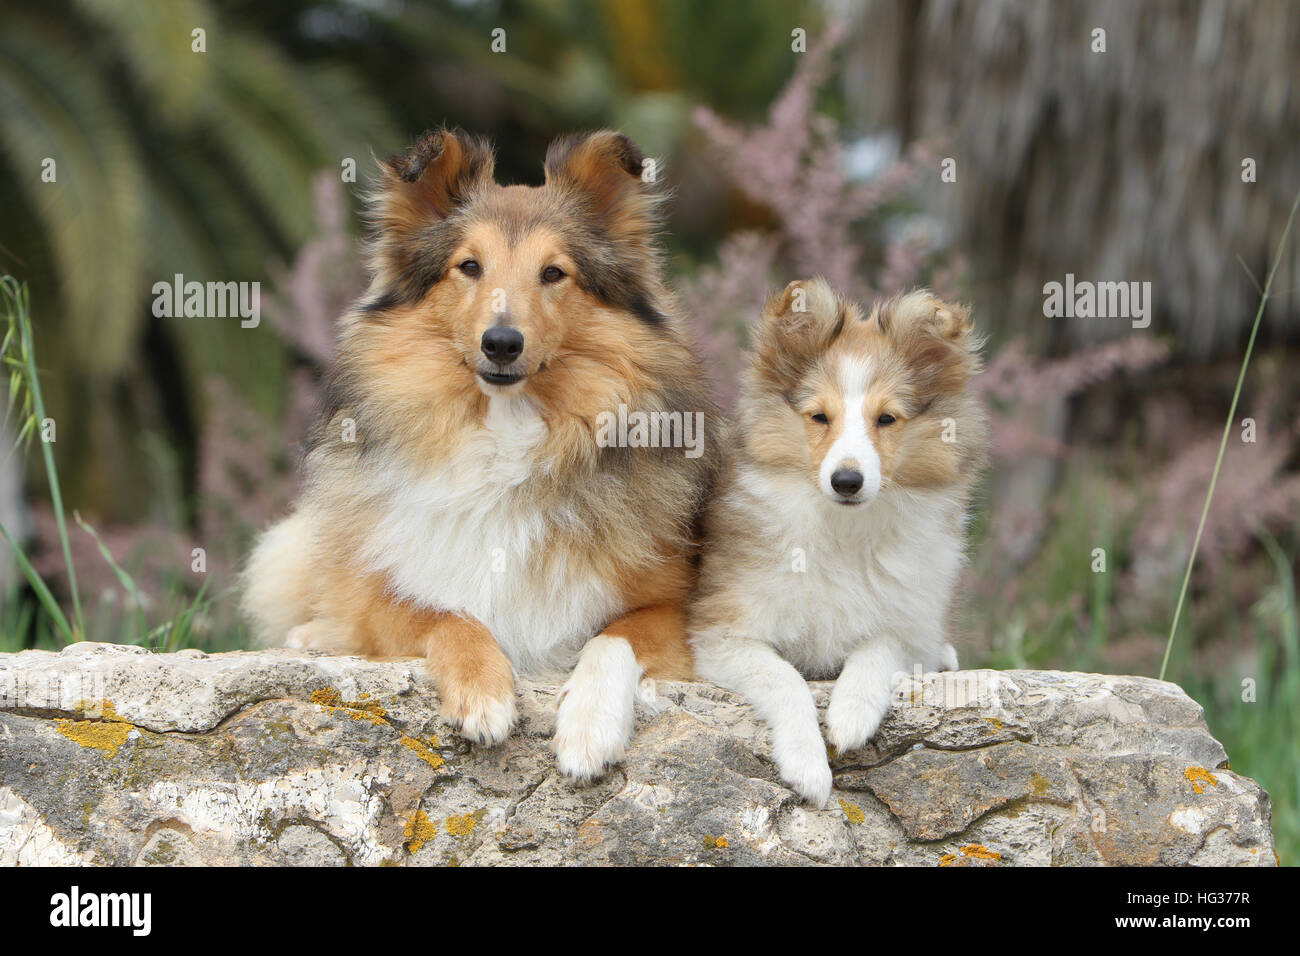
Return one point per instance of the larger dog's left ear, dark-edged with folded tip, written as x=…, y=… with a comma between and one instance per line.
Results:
x=431, y=180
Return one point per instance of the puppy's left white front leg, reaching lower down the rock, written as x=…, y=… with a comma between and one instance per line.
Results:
x=782, y=698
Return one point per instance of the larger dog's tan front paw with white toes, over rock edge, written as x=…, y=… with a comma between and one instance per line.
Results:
x=474, y=678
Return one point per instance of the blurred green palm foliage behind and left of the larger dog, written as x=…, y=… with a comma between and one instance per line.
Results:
x=171, y=161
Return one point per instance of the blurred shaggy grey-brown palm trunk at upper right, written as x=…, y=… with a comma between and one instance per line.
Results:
x=1125, y=165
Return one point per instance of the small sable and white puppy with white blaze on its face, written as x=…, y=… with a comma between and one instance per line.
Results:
x=837, y=535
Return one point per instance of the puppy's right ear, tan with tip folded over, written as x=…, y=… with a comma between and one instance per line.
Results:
x=938, y=340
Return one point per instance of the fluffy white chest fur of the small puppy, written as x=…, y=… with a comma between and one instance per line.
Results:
x=835, y=576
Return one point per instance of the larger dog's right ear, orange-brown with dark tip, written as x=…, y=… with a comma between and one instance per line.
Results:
x=612, y=174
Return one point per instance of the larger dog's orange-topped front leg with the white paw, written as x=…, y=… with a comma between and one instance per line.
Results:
x=596, y=710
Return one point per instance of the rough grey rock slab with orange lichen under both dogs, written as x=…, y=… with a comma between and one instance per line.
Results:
x=114, y=755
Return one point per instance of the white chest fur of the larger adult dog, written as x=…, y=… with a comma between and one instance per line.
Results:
x=470, y=538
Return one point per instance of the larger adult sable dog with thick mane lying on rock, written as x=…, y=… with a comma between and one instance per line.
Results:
x=458, y=503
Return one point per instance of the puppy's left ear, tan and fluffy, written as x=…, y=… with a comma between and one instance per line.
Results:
x=799, y=325
